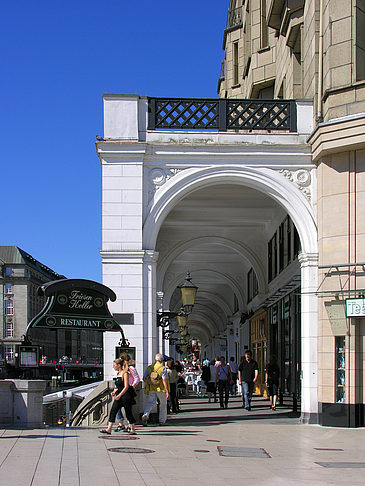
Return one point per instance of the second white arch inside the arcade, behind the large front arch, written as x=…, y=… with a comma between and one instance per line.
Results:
x=243, y=251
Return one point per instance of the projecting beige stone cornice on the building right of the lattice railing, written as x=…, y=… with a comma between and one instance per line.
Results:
x=339, y=135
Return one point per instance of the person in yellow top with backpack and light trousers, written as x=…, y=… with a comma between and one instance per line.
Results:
x=157, y=388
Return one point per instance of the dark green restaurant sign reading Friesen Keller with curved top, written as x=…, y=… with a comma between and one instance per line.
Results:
x=76, y=304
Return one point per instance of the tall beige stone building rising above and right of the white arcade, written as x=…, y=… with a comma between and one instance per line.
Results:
x=315, y=50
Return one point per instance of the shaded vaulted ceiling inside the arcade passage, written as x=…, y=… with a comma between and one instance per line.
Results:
x=217, y=233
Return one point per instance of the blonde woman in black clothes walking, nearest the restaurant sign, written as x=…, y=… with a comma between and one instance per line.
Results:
x=123, y=397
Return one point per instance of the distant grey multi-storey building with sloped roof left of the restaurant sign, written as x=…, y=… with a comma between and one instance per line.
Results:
x=20, y=277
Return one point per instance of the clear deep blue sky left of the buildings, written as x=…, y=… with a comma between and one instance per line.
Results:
x=58, y=58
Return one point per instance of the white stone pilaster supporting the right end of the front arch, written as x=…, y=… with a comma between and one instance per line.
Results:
x=309, y=336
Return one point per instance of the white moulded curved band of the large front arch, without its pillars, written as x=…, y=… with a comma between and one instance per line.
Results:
x=265, y=180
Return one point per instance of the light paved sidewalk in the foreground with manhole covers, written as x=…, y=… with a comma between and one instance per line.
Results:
x=272, y=448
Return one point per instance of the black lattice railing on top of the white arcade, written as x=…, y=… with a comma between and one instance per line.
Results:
x=221, y=114
